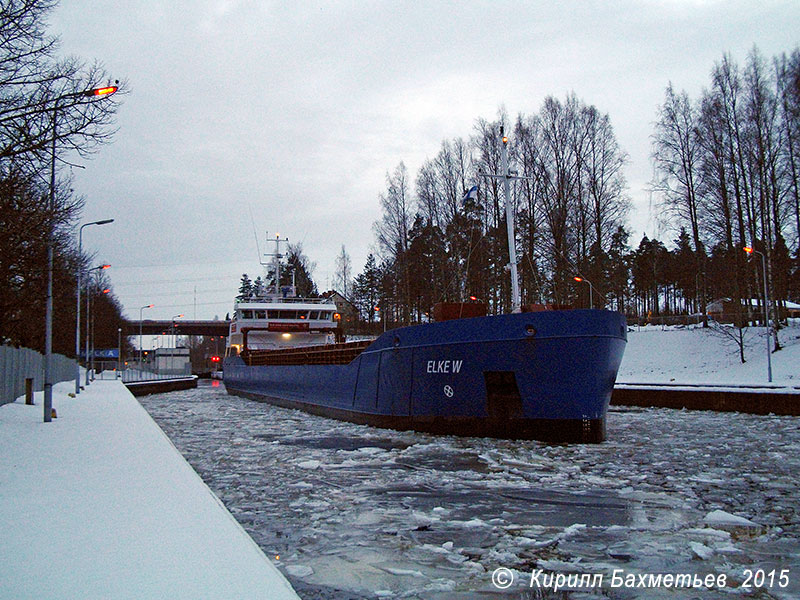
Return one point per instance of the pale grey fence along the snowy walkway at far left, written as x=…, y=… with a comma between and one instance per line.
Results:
x=19, y=364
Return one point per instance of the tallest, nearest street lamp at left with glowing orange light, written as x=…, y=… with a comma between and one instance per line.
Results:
x=48, y=318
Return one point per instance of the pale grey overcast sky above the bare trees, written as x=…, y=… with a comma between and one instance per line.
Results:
x=285, y=117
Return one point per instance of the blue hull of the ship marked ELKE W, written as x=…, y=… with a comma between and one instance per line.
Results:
x=545, y=375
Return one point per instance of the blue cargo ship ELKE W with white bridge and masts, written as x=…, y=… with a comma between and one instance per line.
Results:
x=545, y=375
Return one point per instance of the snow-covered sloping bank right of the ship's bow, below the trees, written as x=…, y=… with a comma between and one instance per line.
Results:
x=697, y=355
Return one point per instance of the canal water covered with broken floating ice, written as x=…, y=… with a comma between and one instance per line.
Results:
x=349, y=511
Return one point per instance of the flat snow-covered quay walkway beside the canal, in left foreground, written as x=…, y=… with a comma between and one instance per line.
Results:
x=100, y=504
